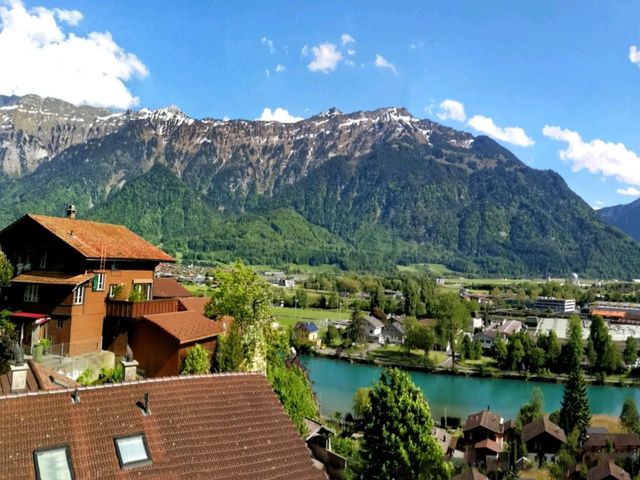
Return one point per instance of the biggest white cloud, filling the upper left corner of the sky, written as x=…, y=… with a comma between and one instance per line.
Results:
x=38, y=57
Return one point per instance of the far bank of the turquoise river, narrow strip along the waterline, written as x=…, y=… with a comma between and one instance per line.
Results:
x=464, y=370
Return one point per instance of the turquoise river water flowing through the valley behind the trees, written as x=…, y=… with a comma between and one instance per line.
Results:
x=335, y=382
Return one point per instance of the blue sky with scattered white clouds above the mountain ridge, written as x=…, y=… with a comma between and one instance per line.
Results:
x=540, y=77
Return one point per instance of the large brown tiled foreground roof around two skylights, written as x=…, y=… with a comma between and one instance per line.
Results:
x=205, y=427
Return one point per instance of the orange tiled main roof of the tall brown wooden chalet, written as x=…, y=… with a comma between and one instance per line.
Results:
x=89, y=238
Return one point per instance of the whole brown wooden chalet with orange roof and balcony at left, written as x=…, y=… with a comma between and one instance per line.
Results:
x=68, y=273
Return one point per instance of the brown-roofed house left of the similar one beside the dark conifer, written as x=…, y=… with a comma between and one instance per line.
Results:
x=484, y=436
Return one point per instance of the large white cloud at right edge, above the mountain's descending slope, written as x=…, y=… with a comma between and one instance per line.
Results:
x=597, y=156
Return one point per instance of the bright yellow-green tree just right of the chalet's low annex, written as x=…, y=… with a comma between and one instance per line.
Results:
x=242, y=294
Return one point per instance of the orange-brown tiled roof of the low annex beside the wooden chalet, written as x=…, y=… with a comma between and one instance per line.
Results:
x=186, y=326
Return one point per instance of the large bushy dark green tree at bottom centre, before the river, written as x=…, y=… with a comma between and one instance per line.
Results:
x=397, y=432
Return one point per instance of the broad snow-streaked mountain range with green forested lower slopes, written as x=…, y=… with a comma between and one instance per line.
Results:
x=364, y=190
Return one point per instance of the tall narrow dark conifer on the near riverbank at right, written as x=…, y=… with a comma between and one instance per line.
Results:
x=574, y=410
